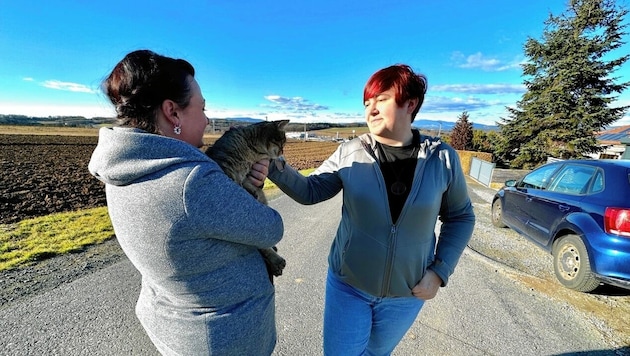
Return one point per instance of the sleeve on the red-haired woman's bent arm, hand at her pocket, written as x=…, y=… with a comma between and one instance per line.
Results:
x=457, y=217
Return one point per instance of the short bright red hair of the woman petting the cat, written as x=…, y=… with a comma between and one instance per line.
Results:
x=406, y=83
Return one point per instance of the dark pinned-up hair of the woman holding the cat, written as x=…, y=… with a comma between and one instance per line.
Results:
x=139, y=84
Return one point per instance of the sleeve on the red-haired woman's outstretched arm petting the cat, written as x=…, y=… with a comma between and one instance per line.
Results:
x=324, y=183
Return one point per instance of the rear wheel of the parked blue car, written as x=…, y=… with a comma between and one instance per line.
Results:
x=571, y=264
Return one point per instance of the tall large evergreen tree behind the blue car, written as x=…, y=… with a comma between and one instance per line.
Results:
x=570, y=86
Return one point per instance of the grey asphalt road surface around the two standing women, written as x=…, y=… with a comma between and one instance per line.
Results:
x=483, y=310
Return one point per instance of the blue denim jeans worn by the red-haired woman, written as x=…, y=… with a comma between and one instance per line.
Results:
x=357, y=323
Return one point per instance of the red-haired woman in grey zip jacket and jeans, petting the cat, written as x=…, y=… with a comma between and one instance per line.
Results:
x=385, y=260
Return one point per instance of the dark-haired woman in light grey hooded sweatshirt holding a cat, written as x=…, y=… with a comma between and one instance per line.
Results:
x=192, y=233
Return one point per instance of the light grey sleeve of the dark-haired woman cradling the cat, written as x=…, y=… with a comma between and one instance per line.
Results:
x=223, y=210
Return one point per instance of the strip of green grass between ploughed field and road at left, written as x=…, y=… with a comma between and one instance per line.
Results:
x=36, y=239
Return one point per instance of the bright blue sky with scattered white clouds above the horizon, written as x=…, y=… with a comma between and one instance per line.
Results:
x=303, y=60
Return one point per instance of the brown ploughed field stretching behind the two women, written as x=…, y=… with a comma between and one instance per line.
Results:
x=44, y=174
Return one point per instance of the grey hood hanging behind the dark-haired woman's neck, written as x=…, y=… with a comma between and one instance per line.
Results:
x=124, y=155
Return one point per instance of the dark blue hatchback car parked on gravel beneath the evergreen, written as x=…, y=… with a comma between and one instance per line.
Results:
x=579, y=211
